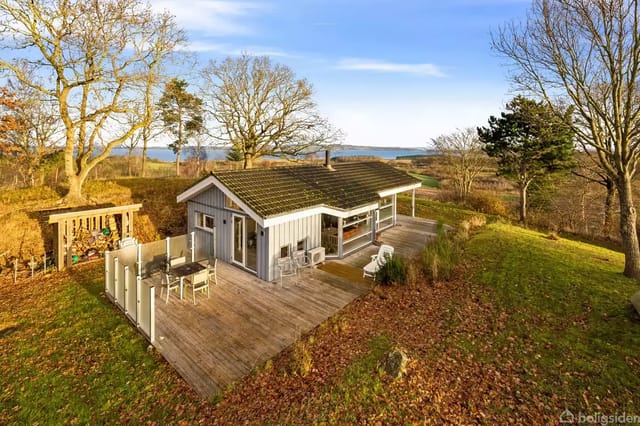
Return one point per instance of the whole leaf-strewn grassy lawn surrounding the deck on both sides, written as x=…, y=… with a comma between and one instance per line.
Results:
x=529, y=326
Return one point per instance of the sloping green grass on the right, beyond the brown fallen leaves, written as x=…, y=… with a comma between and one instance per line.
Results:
x=570, y=323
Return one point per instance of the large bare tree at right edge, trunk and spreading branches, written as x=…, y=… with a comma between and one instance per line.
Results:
x=587, y=52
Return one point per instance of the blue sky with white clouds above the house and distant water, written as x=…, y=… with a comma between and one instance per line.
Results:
x=393, y=73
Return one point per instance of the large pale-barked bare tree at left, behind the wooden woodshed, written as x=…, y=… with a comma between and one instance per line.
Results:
x=93, y=53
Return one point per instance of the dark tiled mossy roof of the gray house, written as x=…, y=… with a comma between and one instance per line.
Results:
x=271, y=192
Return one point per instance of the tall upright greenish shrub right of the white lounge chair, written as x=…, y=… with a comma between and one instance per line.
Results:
x=440, y=256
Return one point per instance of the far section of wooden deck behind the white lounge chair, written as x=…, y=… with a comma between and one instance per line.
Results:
x=407, y=238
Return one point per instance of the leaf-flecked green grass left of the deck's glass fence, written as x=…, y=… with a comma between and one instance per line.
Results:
x=74, y=358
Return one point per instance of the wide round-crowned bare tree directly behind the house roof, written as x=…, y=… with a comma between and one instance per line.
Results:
x=262, y=109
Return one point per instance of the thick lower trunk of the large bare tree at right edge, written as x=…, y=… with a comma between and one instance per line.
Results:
x=628, y=228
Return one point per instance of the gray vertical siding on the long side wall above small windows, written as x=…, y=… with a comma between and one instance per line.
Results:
x=289, y=233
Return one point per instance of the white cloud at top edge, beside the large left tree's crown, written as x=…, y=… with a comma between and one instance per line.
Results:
x=210, y=17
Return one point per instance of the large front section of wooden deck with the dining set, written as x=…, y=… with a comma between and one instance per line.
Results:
x=245, y=322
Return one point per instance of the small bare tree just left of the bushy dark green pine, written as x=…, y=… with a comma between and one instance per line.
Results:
x=463, y=152
